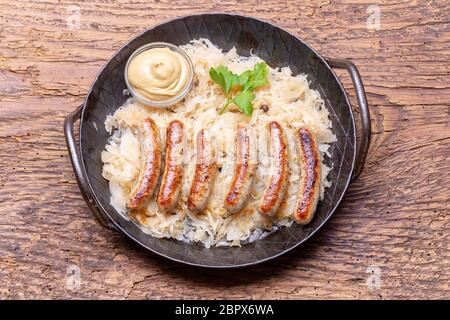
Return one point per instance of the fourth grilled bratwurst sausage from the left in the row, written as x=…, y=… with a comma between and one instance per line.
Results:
x=243, y=172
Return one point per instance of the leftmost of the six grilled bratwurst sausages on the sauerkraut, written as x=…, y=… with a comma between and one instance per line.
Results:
x=150, y=165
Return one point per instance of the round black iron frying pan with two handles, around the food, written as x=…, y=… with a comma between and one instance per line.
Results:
x=278, y=48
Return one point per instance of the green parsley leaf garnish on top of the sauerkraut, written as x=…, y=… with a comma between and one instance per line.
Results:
x=239, y=88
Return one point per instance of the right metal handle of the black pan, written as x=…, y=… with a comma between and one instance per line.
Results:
x=363, y=106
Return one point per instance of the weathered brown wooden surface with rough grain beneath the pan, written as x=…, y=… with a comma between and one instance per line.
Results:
x=395, y=217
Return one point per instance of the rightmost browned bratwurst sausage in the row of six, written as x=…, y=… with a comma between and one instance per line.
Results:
x=309, y=190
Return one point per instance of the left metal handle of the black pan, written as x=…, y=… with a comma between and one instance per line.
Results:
x=79, y=170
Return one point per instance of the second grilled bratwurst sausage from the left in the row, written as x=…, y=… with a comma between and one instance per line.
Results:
x=169, y=190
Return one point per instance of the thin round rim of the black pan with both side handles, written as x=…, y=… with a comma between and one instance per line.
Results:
x=104, y=218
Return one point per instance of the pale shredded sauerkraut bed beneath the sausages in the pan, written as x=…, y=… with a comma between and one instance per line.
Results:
x=288, y=99
